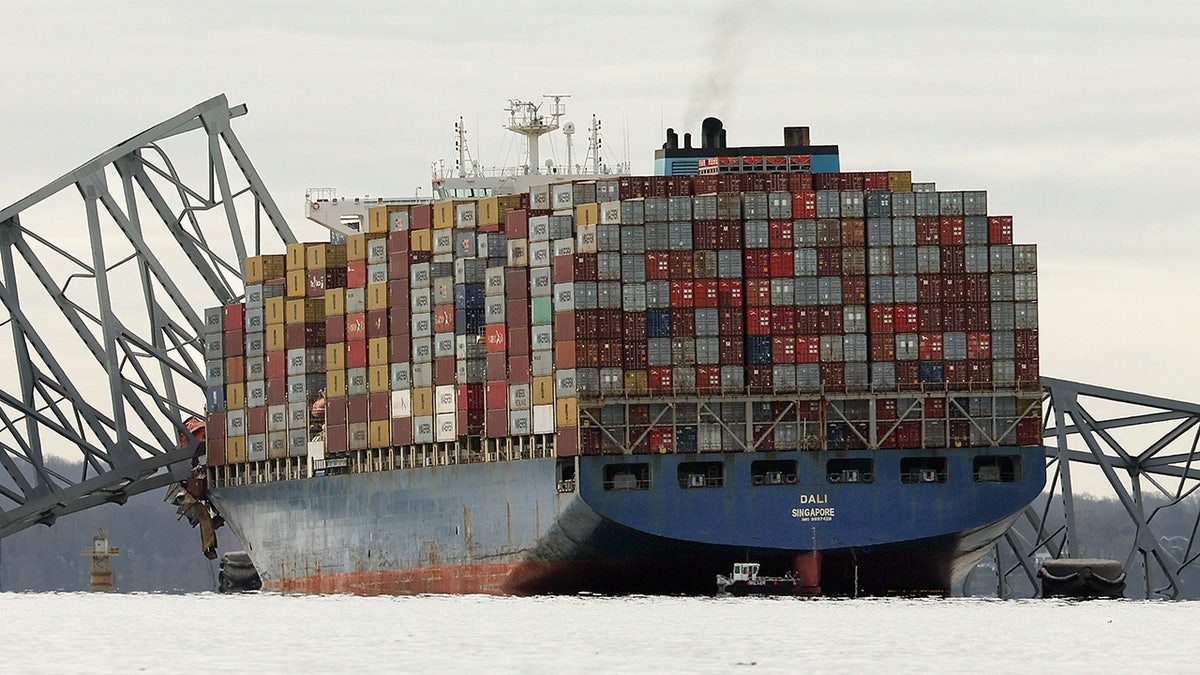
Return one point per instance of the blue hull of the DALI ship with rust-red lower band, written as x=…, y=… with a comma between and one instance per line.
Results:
x=523, y=529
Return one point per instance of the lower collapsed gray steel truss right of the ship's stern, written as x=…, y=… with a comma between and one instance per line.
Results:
x=1162, y=462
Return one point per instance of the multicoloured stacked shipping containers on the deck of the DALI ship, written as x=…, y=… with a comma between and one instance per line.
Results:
x=779, y=312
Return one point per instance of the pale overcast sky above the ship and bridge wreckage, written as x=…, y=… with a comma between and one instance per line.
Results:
x=1078, y=117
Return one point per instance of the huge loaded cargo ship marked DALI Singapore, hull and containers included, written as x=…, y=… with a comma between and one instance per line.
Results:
x=616, y=384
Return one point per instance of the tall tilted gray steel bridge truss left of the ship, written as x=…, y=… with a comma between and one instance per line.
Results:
x=101, y=296
